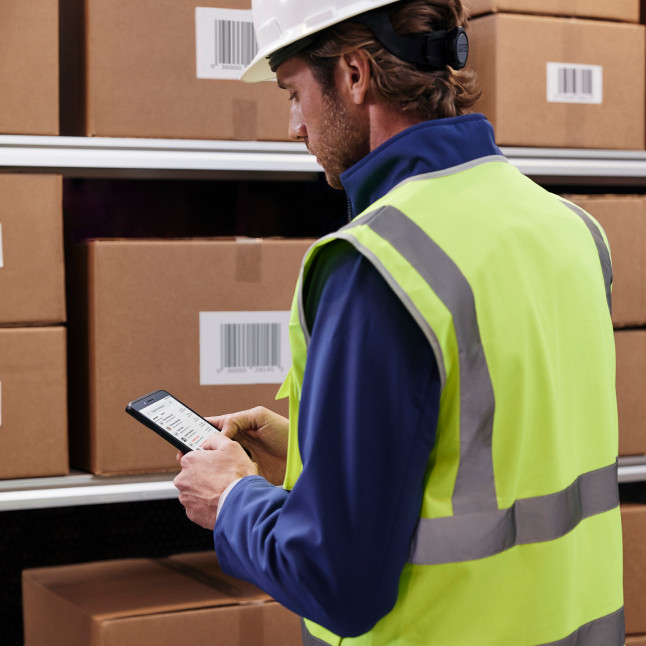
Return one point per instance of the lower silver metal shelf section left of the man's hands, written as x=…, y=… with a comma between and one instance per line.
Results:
x=84, y=489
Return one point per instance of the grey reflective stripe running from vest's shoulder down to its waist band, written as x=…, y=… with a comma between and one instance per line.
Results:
x=474, y=487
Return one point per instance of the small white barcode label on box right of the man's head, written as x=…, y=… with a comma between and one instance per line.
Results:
x=572, y=83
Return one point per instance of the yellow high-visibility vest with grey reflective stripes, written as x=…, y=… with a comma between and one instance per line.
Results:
x=519, y=535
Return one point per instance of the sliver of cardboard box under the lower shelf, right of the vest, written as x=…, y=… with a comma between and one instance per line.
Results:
x=633, y=520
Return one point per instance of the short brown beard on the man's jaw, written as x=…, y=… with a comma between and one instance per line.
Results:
x=344, y=140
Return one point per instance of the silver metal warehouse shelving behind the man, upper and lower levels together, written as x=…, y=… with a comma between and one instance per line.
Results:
x=170, y=158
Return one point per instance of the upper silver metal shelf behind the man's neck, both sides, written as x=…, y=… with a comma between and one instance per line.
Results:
x=131, y=157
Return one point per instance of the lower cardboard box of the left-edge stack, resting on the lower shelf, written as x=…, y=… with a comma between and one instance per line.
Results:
x=33, y=402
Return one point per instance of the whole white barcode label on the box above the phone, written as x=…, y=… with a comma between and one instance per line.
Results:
x=244, y=348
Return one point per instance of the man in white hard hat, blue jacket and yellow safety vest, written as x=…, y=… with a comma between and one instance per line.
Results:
x=449, y=463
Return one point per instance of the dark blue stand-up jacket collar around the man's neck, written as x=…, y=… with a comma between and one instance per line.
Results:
x=423, y=148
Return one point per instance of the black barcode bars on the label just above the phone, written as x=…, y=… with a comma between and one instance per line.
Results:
x=250, y=345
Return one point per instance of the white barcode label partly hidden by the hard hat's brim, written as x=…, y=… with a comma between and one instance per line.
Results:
x=225, y=42
